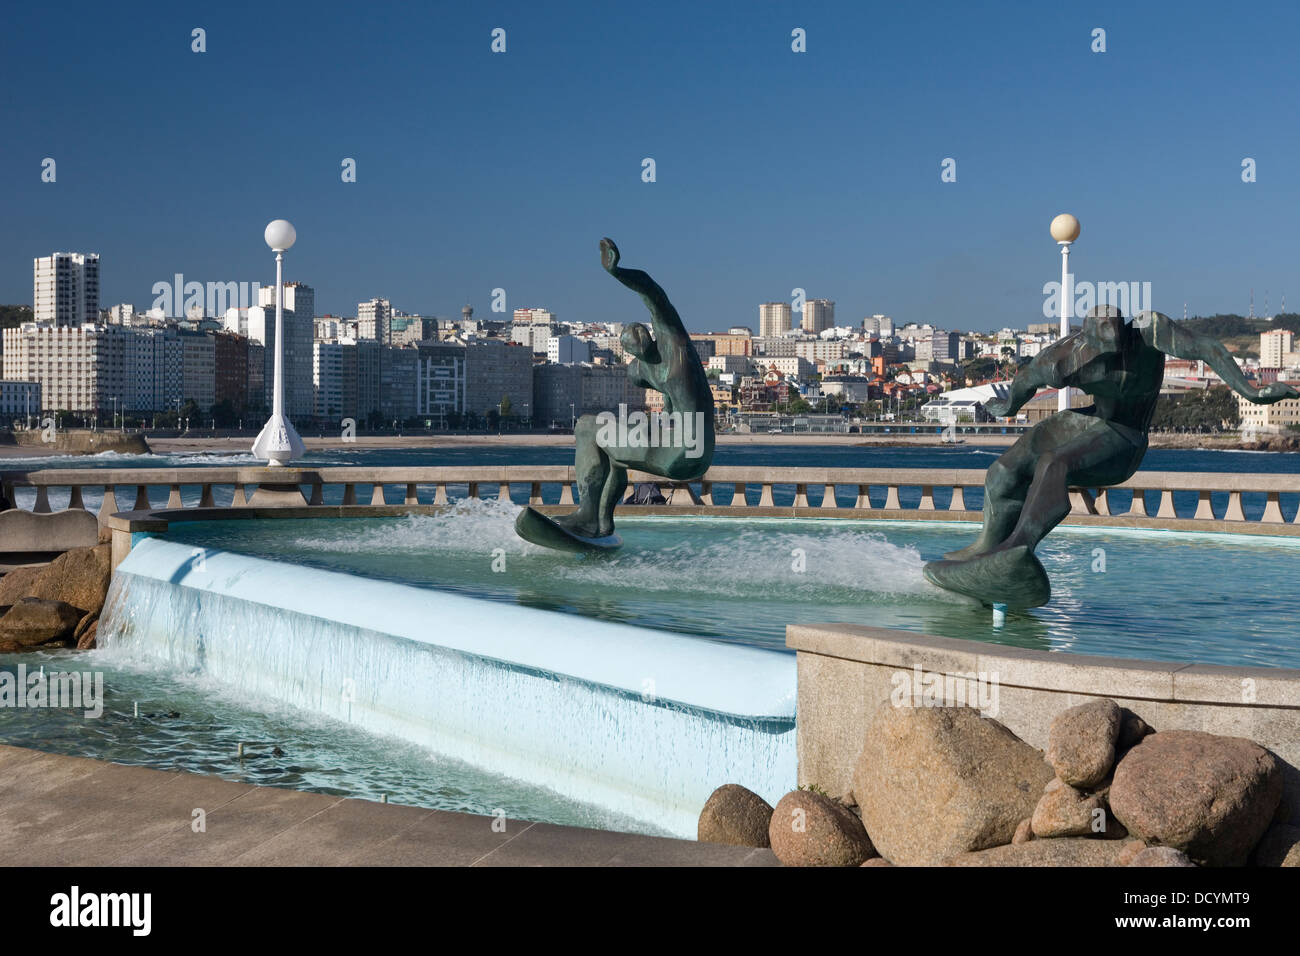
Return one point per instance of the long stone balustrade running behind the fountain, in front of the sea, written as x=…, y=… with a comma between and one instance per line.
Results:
x=930, y=494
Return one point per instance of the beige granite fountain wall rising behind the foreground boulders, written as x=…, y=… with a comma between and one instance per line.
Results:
x=847, y=672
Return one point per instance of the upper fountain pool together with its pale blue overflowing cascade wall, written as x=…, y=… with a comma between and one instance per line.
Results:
x=631, y=686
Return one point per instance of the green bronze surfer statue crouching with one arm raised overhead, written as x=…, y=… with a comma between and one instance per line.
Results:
x=675, y=444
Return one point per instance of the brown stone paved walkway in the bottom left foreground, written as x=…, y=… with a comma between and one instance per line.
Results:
x=72, y=811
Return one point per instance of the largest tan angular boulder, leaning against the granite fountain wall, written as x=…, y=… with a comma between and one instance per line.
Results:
x=935, y=782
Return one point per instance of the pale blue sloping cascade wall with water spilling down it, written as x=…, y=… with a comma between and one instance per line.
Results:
x=639, y=721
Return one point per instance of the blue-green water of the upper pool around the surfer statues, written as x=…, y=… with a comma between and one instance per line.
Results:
x=1203, y=599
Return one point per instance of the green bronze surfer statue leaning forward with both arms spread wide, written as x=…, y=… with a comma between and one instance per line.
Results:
x=1026, y=492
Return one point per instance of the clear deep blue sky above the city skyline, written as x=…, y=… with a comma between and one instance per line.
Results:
x=774, y=170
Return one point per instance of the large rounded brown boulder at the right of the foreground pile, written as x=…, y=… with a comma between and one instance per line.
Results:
x=1211, y=797
